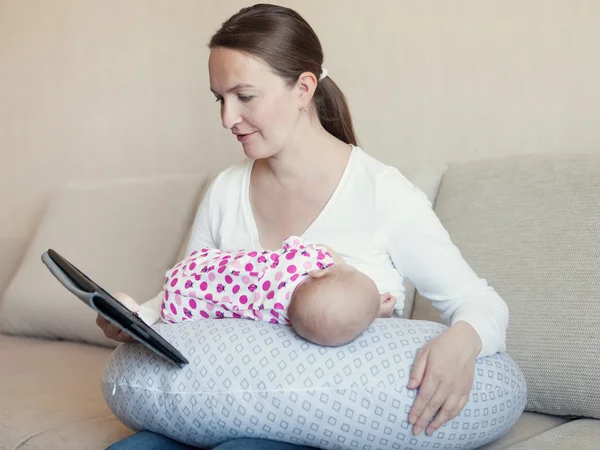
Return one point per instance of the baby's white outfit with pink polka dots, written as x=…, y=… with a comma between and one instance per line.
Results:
x=214, y=284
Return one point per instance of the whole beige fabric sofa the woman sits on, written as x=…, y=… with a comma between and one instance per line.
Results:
x=529, y=225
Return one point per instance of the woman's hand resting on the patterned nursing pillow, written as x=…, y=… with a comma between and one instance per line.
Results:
x=443, y=371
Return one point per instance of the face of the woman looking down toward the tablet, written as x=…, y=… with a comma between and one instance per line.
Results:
x=256, y=104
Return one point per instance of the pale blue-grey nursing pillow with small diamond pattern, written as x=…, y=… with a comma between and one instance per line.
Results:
x=254, y=379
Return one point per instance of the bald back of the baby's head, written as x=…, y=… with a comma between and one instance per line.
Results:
x=333, y=306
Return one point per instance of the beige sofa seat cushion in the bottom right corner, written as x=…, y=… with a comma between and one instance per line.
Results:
x=582, y=434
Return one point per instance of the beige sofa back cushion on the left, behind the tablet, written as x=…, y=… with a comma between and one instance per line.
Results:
x=124, y=234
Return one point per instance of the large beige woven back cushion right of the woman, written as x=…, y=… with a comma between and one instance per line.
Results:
x=530, y=226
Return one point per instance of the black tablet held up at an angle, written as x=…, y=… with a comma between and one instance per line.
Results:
x=109, y=307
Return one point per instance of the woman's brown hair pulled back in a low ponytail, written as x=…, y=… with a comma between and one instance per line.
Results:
x=286, y=42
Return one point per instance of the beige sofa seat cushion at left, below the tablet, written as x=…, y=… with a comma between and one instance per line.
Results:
x=48, y=385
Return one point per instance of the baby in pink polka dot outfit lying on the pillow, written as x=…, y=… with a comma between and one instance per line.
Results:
x=304, y=285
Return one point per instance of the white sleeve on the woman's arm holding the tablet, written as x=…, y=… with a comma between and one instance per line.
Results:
x=200, y=236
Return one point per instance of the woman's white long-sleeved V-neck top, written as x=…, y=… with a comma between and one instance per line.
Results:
x=379, y=223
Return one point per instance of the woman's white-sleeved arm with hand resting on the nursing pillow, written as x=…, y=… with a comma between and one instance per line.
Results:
x=422, y=251
